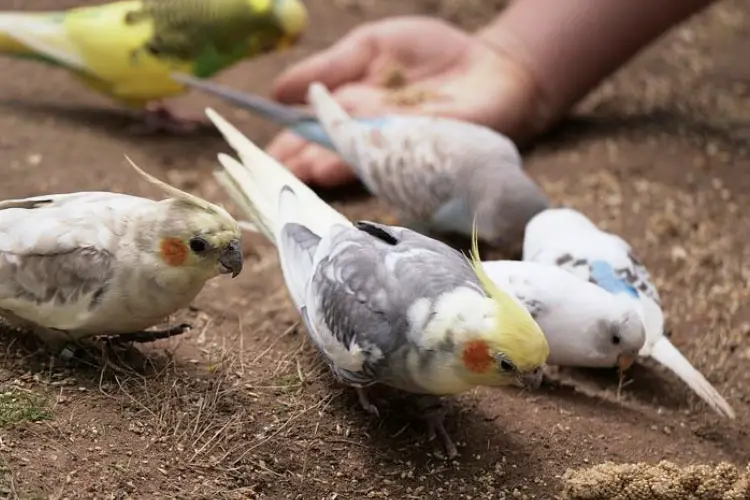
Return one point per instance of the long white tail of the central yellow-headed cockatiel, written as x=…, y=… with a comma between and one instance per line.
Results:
x=256, y=185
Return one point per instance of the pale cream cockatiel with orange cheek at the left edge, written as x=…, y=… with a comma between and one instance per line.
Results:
x=87, y=264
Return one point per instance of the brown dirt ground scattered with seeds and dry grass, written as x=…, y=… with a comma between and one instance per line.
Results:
x=242, y=408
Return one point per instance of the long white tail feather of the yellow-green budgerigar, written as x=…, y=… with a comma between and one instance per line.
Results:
x=42, y=34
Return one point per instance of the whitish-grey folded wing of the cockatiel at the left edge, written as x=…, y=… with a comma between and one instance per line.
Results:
x=57, y=254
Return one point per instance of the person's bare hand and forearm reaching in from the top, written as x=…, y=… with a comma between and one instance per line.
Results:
x=513, y=75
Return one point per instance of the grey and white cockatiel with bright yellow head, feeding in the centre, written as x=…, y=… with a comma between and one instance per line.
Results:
x=384, y=304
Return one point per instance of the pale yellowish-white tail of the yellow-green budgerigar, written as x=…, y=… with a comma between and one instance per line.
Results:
x=41, y=36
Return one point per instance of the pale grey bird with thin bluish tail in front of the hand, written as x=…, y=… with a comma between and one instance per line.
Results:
x=440, y=174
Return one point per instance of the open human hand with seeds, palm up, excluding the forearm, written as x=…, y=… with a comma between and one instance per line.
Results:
x=457, y=75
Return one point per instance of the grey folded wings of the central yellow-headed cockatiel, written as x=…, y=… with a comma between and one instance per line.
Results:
x=363, y=288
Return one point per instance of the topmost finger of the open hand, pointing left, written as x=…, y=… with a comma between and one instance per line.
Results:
x=345, y=61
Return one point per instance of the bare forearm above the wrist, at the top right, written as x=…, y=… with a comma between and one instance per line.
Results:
x=569, y=46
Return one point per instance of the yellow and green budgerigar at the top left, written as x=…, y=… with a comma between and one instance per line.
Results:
x=128, y=49
